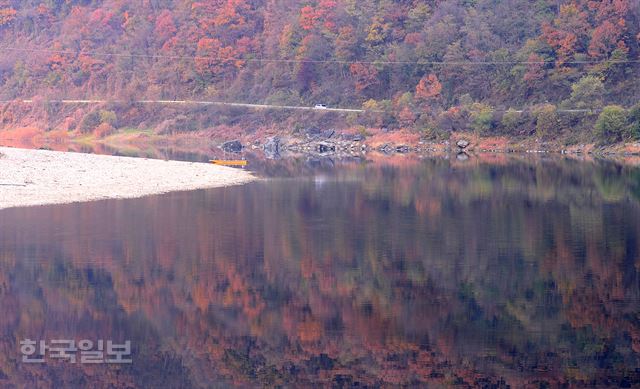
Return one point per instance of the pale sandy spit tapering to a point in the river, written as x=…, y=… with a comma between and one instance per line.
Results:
x=39, y=177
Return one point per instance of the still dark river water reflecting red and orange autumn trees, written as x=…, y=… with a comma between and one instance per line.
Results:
x=519, y=273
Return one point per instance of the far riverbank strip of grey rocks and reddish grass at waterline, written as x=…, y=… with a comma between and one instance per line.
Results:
x=312, y=140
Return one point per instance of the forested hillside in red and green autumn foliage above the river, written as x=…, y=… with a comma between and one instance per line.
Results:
x=427, y=66
